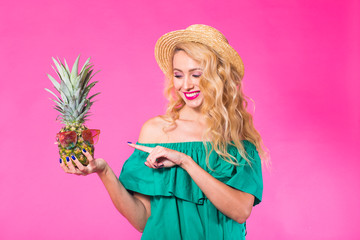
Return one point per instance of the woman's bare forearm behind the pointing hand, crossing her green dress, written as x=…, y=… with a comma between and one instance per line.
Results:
x=231, y=202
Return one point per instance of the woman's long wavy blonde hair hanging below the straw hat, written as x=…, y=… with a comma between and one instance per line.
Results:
x=224, y=105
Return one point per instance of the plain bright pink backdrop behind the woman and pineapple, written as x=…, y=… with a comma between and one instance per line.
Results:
x=302, y=70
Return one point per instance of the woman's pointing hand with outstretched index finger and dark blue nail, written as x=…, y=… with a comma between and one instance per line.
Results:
x=162, y=157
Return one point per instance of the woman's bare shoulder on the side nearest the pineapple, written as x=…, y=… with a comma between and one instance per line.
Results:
x=153, y=130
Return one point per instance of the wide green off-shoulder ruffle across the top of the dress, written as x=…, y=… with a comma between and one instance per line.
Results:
x=137, y=177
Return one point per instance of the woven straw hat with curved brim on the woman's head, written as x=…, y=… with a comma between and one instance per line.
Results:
x=199, y=33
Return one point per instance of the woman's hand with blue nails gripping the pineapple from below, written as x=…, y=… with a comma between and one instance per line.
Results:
x=95, y=165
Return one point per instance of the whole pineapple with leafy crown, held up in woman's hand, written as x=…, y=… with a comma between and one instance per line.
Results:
x=73, y=105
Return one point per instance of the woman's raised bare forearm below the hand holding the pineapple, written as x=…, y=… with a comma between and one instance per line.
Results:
x=128, y=205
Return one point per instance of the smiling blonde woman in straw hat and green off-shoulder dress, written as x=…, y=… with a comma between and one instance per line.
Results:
x=202, y=171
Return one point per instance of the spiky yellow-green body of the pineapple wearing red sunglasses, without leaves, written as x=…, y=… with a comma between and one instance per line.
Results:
x=77, y=150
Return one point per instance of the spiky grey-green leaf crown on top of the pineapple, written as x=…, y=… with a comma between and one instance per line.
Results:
x=74, y=87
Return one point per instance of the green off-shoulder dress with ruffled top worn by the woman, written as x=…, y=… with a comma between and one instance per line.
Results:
x=179, y=209
